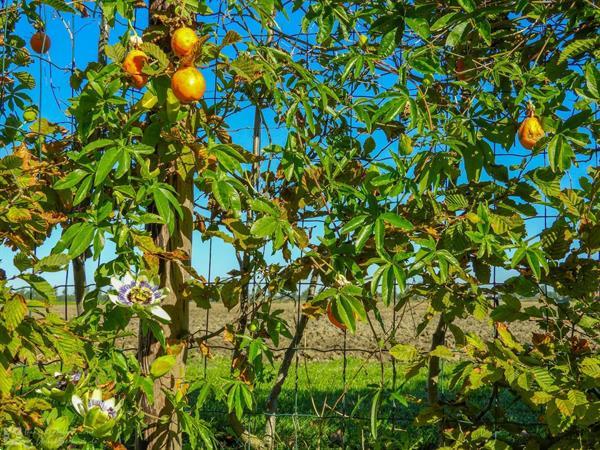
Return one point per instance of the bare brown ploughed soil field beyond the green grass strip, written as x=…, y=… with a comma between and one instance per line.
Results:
x=322, y=340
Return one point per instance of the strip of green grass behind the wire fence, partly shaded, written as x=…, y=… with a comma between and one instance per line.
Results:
x=309, y=418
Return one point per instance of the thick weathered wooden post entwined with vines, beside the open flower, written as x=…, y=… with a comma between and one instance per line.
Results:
x=166, y=434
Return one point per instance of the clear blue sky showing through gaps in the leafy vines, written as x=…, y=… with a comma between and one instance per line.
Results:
x=54, y=92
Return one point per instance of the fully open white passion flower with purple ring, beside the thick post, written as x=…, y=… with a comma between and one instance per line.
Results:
x=138, y=293
